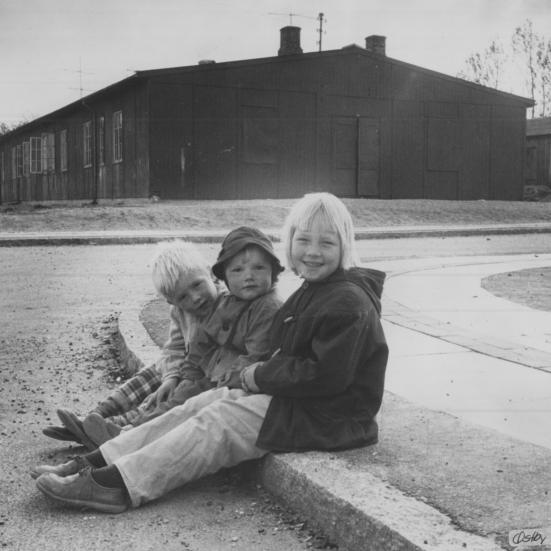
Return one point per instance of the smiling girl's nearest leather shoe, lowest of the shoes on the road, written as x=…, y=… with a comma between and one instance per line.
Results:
x=81, y=490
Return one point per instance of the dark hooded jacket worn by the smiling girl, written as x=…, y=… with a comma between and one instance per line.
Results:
x=327, y=371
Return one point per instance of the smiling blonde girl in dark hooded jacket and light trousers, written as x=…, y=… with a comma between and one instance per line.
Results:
x=321, y=389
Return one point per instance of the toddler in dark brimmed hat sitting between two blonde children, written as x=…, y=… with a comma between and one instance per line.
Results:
x=235, y=334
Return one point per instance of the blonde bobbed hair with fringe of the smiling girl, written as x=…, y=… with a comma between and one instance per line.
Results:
x=329, y=211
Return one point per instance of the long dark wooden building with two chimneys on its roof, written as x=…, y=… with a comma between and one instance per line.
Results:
x=351, y=121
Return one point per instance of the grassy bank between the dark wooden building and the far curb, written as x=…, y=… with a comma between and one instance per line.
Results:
x=265, y=213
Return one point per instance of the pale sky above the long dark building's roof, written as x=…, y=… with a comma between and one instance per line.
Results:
x=54, y=51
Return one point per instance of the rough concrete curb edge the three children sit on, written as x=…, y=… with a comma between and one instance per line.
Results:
x=328, y=492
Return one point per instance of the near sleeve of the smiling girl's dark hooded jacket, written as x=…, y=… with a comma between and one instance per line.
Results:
x=340, y=345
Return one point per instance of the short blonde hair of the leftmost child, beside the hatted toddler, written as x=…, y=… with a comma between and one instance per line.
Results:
x=173, y=260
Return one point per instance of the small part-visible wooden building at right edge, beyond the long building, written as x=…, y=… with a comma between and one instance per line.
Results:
x=538, y=154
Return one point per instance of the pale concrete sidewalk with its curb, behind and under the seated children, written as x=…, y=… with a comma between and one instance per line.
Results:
x=441, y=477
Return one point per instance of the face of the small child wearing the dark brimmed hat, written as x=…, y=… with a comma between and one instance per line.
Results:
x=249, y=274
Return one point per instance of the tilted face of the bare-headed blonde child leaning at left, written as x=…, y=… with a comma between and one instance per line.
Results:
x=195, y=293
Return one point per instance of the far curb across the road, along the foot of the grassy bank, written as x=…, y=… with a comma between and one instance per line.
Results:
x=26, y=239
